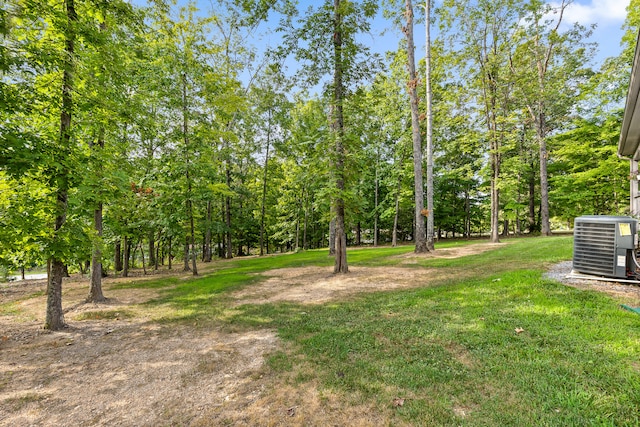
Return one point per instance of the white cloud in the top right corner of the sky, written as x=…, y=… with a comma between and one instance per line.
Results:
x=601, y=12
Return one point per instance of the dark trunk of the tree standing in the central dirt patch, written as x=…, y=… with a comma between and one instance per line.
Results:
x=340, y=265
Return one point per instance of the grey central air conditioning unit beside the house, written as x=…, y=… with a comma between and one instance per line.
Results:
x=605, y=246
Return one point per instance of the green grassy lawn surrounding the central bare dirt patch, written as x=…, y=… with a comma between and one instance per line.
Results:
x=492, y=344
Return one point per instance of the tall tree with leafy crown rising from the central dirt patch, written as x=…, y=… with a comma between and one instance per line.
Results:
x=326, y=43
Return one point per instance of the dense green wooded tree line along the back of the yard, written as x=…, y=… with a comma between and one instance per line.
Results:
x=141, y=136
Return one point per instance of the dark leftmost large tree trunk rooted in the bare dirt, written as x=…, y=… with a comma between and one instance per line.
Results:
x=54, y=315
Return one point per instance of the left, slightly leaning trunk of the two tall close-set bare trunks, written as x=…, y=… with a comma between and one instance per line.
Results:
x=420, y=236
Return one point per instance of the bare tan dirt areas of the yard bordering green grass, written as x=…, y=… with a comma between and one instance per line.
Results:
x=129, y=370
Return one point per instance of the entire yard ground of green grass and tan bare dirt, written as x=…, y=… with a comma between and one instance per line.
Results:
x=477, y=337
